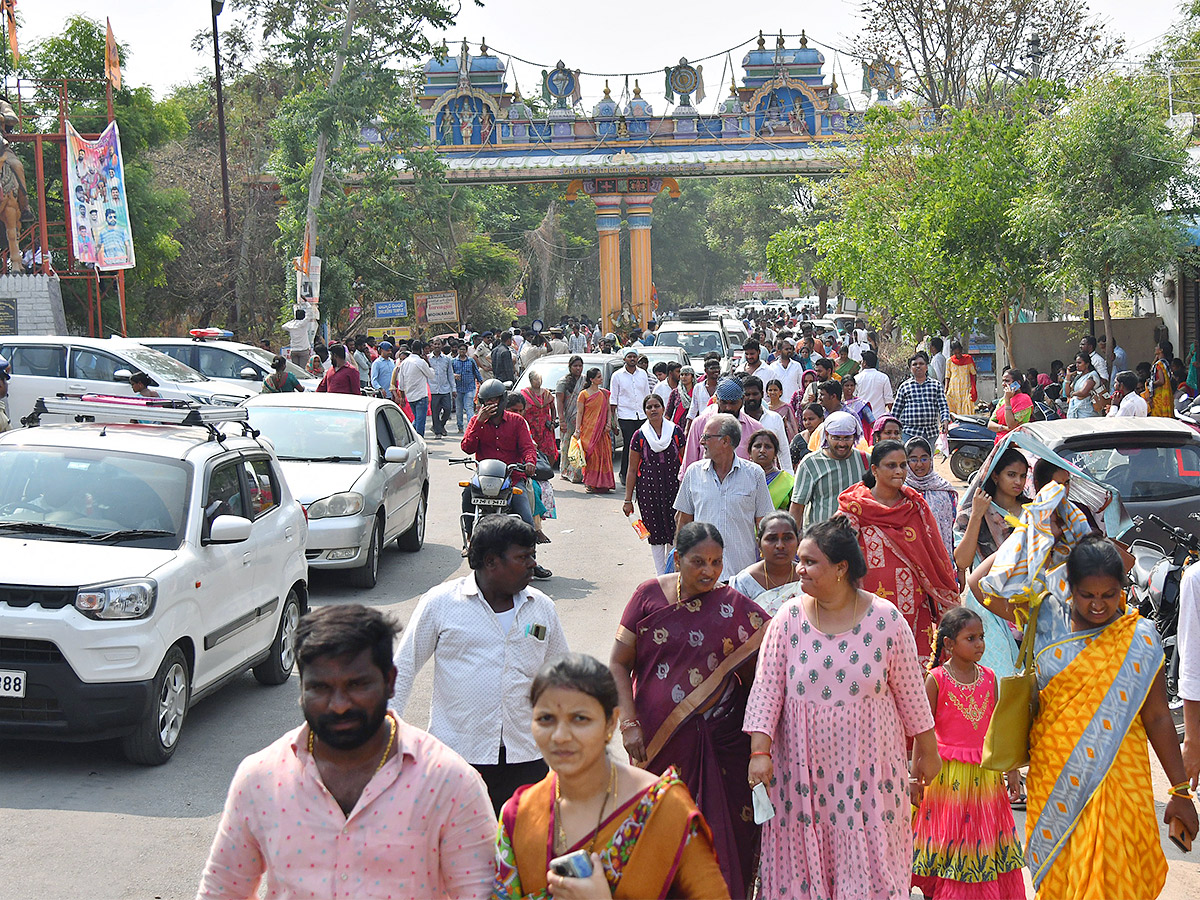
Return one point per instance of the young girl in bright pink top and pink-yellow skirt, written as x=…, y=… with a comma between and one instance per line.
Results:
x=967, y=844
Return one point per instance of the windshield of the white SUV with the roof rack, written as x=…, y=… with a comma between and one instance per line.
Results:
x=92, y=496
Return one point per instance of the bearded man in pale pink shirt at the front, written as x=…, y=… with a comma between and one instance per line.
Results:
x=356, y=802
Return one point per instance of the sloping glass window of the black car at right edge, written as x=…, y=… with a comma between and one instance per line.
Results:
x=1143, y=473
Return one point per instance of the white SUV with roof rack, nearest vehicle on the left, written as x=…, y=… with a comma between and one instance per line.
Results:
x=145, y=566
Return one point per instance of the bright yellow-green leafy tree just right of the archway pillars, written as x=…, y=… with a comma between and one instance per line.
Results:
x=919, y=224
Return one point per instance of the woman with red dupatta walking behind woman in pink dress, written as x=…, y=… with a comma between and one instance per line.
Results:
x=907, y=559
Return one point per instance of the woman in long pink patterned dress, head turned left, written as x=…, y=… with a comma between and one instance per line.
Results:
x=837, y=691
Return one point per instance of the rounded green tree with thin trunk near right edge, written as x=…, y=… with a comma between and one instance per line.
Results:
x=1106, y=169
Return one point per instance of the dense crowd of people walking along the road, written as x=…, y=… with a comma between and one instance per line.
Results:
x=805, y=689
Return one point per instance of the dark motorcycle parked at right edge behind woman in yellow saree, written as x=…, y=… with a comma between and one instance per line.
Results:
x=1156, y=579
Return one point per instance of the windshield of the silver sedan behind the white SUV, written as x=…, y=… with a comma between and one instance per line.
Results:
x=314, y=435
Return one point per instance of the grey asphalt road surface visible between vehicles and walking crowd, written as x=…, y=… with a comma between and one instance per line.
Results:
x=81, y=823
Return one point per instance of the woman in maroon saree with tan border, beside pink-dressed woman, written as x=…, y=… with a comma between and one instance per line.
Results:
x=683, y=662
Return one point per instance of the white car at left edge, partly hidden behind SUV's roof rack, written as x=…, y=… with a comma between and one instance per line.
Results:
x=45, y=367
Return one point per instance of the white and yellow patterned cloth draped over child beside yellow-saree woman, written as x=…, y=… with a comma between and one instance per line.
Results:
x=1030, y=561
